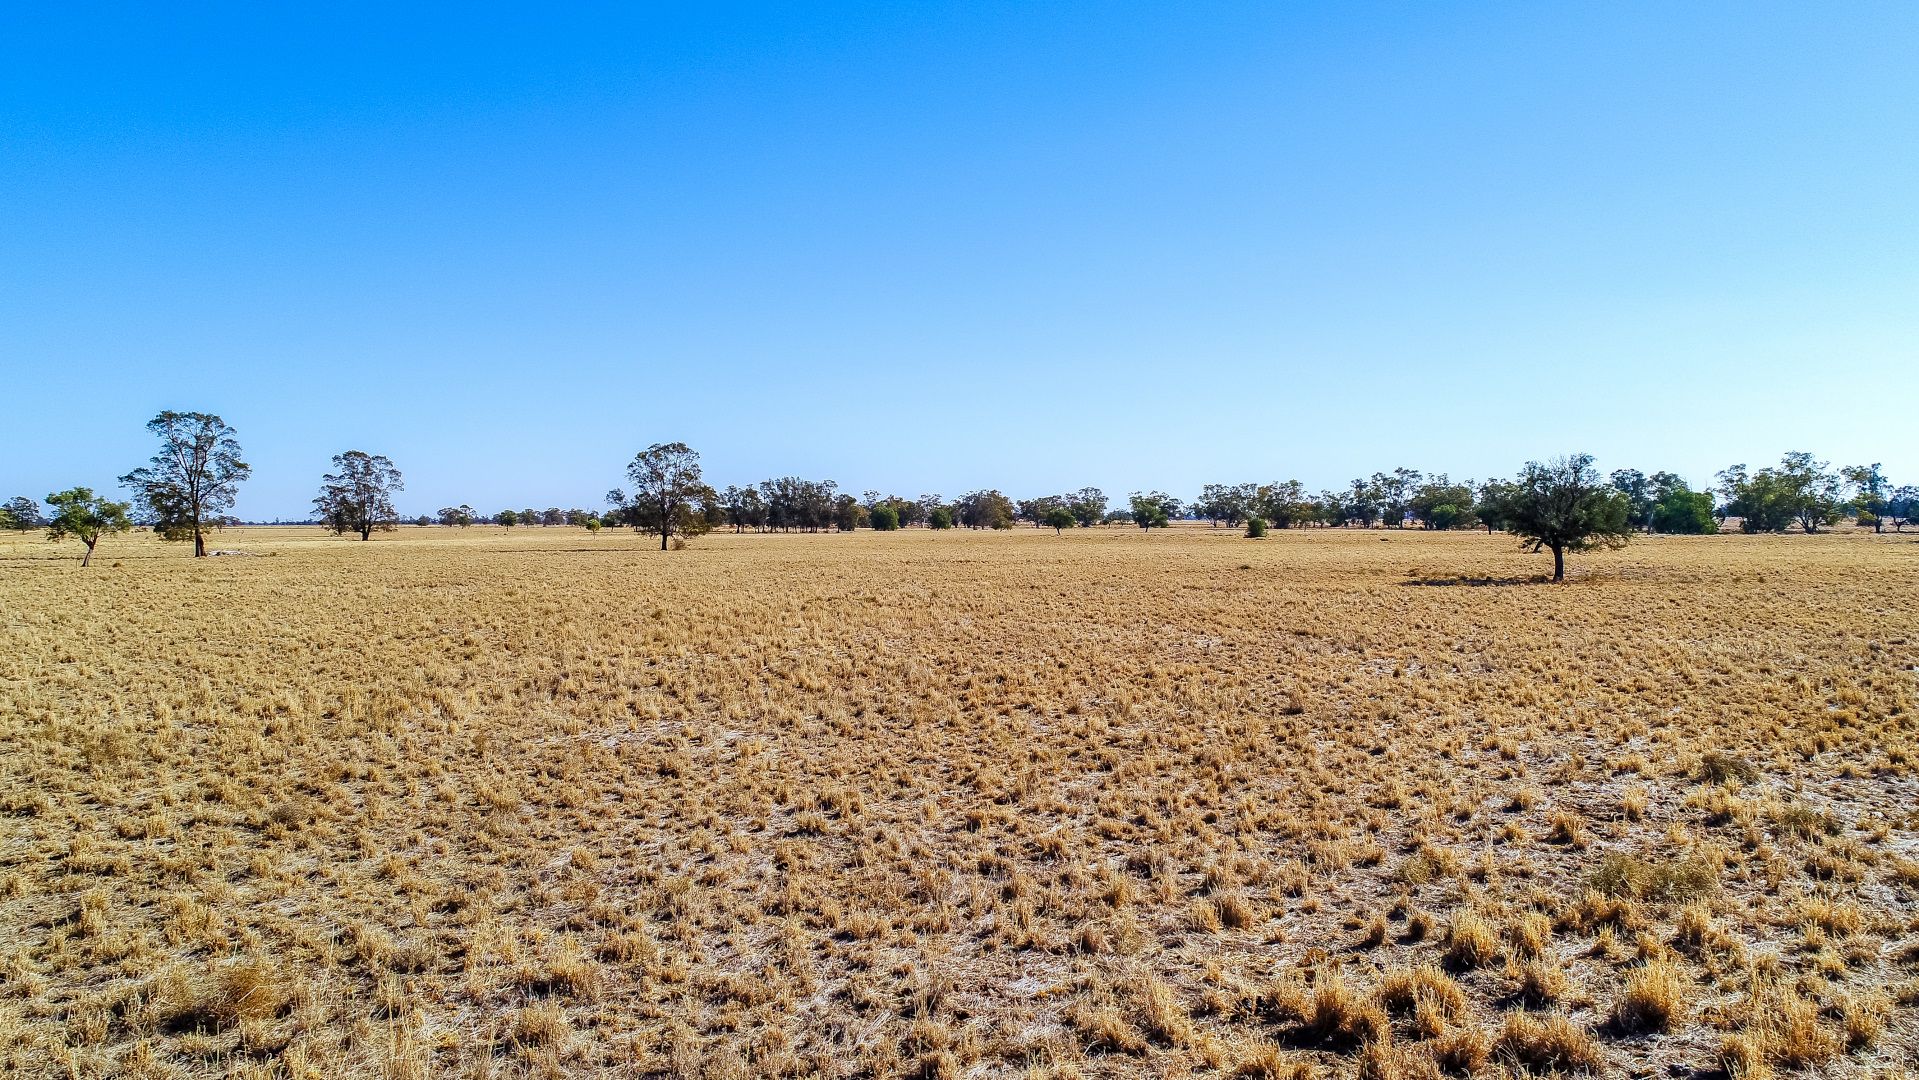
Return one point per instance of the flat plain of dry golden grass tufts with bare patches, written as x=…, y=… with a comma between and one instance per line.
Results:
x=976, y=805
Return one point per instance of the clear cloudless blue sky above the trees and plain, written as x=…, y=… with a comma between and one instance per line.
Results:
x=949, y=247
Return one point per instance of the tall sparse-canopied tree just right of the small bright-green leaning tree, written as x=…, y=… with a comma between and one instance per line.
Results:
x=193, y=481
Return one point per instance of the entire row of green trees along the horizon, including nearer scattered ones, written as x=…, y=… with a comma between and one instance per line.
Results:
x=1565, y=505
